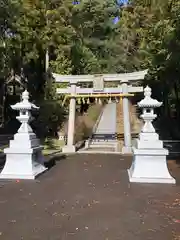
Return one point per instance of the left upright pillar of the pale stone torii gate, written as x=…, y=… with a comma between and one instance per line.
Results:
x=70, y=147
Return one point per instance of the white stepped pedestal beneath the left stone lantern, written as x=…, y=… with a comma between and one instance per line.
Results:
x=24, y=158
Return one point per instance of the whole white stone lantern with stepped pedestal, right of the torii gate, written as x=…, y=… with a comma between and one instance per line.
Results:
x=149, y=157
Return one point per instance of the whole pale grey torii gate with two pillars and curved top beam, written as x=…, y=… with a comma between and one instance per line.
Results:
x=124, y=90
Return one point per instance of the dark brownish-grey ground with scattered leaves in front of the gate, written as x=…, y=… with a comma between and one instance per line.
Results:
x=88, y=197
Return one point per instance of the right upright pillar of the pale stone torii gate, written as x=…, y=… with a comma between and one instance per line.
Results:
x=126, y=120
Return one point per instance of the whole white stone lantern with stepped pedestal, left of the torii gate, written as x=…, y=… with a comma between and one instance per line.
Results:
x=24, y=158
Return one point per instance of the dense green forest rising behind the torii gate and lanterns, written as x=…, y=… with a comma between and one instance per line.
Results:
x=85, y=36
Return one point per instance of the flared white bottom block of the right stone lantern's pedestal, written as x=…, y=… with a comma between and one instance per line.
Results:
x=150, y=166
